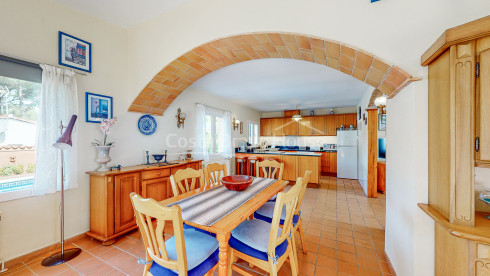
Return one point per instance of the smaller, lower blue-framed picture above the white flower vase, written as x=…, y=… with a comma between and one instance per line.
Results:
x=97, y=107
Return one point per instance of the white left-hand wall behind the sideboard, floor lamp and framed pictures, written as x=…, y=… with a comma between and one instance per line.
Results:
x=29, y=29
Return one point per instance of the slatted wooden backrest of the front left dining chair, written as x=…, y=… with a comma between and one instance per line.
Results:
x=145, y=211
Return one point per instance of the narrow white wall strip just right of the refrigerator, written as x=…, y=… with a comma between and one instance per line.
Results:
x=362, y=134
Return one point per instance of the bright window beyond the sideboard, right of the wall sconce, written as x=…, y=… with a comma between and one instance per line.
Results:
x=215, y=133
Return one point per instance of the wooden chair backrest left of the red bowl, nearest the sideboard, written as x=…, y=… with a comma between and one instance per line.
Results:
x=180, y=180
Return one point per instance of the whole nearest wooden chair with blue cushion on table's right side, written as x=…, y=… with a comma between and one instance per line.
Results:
x=266, y=245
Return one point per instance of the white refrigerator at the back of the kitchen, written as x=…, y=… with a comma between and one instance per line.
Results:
x=347, y=154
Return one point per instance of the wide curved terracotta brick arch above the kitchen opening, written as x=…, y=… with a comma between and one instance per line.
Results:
x=174, y=78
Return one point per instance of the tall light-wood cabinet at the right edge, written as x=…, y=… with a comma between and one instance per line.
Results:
x=459, y=140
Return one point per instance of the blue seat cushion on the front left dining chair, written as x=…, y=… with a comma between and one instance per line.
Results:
x=201, y=250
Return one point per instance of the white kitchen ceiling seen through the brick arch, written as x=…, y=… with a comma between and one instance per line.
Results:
x=280, y=84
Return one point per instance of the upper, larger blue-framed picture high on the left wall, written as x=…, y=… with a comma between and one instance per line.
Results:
x=74, y=52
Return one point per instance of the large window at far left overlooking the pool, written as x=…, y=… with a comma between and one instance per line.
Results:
x=20, y=86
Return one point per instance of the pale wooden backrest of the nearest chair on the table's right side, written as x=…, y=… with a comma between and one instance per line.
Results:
x=290, y=200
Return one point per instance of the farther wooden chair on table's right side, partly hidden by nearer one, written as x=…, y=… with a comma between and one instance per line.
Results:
x=266, y=212
